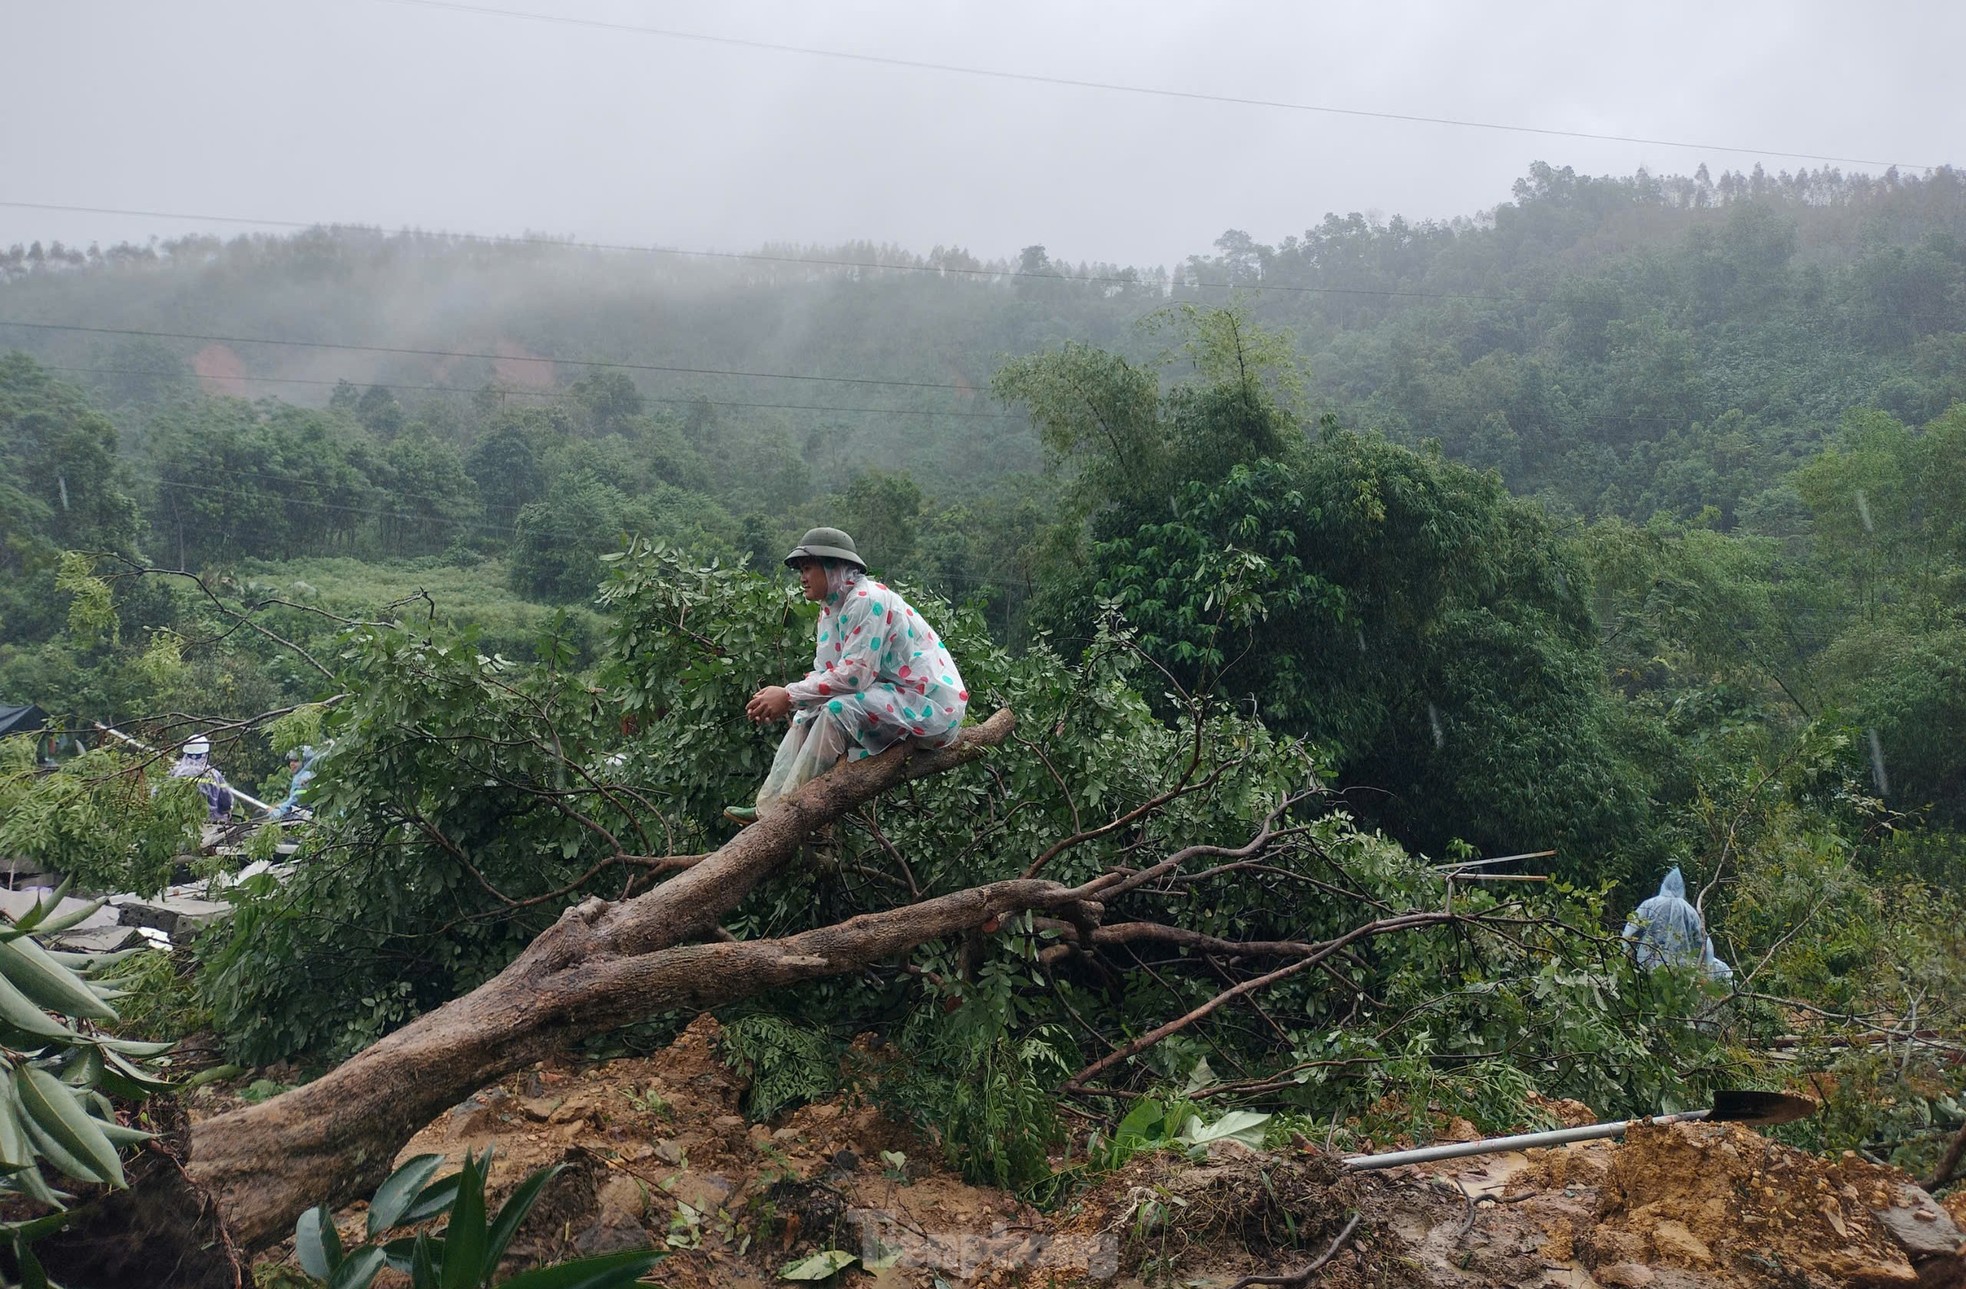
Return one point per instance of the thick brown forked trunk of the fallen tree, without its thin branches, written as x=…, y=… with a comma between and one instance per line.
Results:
x=599, y=968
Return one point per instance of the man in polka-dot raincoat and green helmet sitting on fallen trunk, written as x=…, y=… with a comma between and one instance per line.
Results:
x=880, y=675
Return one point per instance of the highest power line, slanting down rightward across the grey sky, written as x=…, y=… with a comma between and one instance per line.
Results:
x=1114, y=87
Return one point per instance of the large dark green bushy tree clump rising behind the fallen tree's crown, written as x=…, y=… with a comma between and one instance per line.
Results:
x=1375, y=600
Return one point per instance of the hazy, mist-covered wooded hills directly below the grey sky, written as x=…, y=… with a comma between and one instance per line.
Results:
x=1615, y=345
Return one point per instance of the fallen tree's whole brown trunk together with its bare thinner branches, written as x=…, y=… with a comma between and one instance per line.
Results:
x=608, y=964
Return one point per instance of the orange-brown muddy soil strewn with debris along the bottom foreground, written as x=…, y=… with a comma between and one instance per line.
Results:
x=660, y=1152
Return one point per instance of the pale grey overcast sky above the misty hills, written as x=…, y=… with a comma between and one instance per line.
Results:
x=418, y=115
